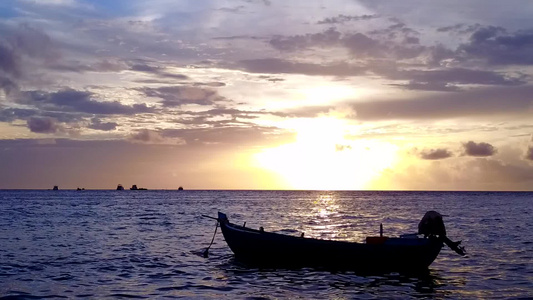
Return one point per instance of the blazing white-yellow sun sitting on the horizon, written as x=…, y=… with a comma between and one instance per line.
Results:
x=323, y=159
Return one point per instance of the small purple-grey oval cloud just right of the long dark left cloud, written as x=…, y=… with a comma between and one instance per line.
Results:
x=175, y=96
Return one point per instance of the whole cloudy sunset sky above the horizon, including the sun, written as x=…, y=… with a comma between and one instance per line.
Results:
x=246, y=94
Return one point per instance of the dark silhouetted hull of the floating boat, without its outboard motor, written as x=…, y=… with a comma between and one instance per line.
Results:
x=267, y=249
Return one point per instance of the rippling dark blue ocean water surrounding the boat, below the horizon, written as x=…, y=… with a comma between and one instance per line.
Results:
x=148, y=244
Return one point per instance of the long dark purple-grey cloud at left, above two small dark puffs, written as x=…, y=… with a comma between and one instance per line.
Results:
x=79, y=101
